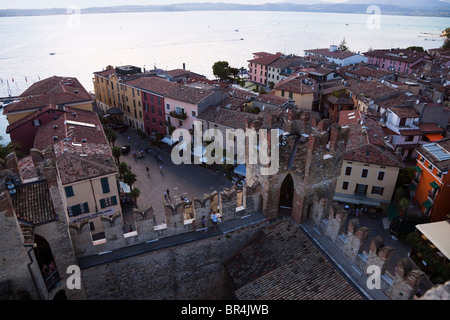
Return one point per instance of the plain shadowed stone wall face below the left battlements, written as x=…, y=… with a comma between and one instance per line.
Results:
x=193, y=271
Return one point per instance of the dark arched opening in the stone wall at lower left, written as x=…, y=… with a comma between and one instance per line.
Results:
x=46, y=262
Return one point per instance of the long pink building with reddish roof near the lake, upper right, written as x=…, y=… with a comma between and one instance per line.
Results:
x=398, y=60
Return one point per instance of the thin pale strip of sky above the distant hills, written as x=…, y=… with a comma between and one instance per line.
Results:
x=38, y=4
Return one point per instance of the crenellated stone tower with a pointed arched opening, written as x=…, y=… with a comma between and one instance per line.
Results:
x=311, y=152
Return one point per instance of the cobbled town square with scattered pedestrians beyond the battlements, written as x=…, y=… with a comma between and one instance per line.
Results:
x=188, y=180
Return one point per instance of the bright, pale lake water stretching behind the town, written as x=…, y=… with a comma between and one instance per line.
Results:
x=87, y=43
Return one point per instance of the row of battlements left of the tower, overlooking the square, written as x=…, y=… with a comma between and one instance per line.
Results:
x=180, y=217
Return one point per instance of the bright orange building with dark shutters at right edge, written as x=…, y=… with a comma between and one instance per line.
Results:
x=430, y=187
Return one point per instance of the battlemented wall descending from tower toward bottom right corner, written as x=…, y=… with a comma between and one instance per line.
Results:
x=402, y=285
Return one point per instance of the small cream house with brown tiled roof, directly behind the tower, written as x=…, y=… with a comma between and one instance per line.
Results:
x=301, y=90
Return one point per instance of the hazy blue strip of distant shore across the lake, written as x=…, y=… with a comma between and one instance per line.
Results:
x=275, y=7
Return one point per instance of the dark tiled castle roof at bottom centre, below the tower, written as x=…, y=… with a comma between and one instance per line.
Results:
x=282, y=264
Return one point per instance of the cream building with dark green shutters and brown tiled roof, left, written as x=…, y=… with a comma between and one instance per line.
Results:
x=85, y=167
